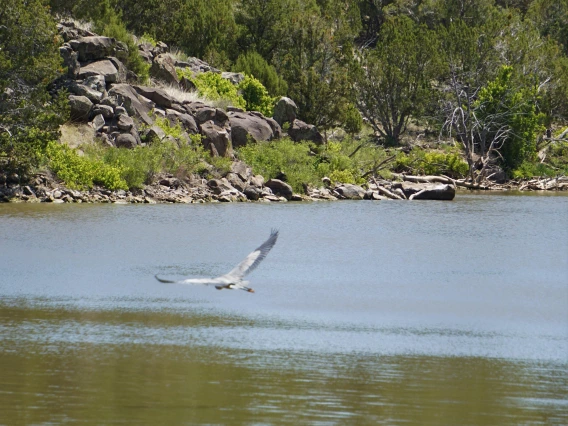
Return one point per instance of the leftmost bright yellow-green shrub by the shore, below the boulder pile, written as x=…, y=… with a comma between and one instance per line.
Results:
x=80, y=172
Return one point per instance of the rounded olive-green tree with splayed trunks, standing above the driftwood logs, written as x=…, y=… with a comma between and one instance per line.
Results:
x=393, y=80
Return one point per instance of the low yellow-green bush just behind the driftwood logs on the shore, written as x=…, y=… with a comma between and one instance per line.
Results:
x=422, y=162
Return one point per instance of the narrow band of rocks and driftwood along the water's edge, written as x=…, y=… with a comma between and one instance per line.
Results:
x=241, y=185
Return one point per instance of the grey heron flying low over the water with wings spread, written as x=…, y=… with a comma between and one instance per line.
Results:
x=234, y=279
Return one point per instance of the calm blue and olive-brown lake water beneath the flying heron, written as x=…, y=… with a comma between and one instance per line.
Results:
x=420, y=313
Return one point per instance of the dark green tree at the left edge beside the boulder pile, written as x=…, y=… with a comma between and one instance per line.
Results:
x=29, y=61
